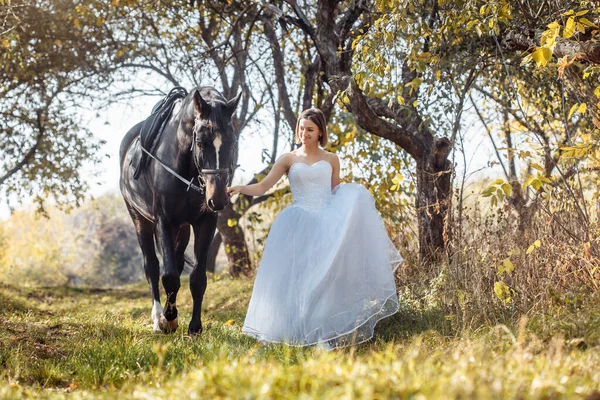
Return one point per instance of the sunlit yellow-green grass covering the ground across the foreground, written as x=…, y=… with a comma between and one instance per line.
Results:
x=62, y=342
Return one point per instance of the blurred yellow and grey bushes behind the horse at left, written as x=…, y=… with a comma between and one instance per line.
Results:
x=94, y=245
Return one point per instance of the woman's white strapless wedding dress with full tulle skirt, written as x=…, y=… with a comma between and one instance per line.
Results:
x=326, y=274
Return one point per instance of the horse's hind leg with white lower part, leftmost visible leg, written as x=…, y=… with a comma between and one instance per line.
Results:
x=145, y=233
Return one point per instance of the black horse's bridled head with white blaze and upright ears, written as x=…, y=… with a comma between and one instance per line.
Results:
x=214, y=144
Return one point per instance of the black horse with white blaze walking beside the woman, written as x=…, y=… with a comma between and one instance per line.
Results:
x=198, y=143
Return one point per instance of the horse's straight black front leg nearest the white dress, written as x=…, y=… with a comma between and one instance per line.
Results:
x=204, y=231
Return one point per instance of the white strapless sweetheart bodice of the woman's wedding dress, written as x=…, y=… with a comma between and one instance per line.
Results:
x=310, y=184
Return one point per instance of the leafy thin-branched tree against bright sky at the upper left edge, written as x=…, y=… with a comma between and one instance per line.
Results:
x=51, y=66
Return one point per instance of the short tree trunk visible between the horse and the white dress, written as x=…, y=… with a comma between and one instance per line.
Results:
x=234, y=241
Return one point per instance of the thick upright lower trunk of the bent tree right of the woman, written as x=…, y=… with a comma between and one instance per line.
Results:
x=433, y=193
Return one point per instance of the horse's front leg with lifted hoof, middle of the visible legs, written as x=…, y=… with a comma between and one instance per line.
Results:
x=165, y=233
